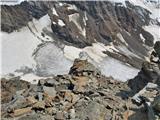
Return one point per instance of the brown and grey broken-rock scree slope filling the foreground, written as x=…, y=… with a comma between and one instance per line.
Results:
x=82, y=94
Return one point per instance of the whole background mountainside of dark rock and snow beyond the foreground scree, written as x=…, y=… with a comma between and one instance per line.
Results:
x=114, y=36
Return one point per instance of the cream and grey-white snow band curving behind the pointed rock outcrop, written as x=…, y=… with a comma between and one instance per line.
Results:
x=108, y=65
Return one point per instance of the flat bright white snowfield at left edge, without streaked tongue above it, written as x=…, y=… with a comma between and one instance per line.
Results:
x=16, y=50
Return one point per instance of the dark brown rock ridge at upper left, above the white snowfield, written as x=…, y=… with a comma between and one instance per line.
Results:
x=18, y=16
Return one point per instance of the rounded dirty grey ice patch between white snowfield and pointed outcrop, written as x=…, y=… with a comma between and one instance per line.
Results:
x=51, y=61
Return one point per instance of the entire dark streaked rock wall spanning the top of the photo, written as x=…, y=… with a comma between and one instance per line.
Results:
x=101, y=21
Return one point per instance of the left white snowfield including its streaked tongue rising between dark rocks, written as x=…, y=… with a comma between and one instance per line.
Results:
x=17, y=47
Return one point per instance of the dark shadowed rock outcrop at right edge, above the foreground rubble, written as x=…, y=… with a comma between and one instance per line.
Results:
x=150, y=71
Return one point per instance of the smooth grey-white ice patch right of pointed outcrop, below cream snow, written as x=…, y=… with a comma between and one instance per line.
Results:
x=117, y=69
